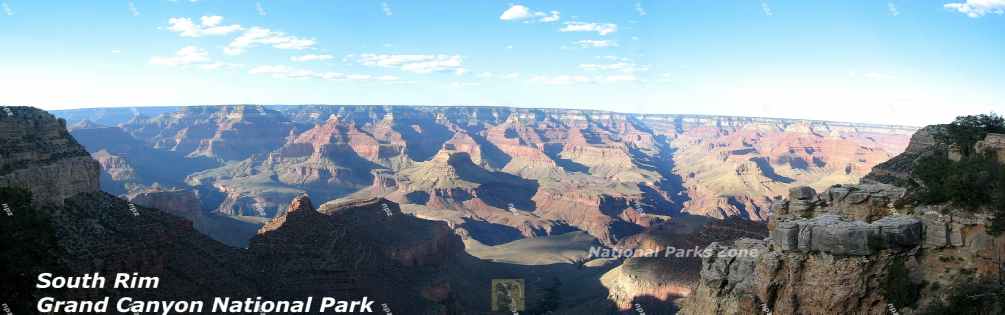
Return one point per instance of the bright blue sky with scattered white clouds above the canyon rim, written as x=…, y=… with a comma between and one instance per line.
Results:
x=899, y=62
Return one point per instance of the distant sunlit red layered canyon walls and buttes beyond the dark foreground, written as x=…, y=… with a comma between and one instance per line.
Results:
x=495, y=175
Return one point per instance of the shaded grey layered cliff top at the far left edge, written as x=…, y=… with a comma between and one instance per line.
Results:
x=39, y=153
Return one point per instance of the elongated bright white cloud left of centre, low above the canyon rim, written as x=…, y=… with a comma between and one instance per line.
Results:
x=419, y=64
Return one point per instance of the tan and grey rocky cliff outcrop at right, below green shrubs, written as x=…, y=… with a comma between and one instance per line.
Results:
x=861, y=249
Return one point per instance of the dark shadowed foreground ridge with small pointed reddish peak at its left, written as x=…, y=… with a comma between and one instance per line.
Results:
x=354, y=249
